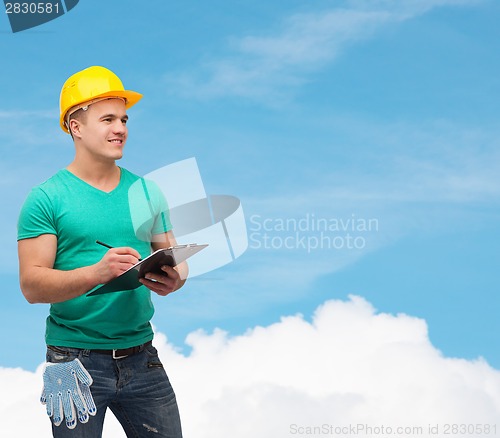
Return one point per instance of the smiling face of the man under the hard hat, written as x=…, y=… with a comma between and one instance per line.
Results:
x=104, y=132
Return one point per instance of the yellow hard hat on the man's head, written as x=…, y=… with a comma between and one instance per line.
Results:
x=89, y=86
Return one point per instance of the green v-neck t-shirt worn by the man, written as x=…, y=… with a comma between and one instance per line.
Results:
x=79, y=214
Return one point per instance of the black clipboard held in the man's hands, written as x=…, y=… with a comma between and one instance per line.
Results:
x=130, y=278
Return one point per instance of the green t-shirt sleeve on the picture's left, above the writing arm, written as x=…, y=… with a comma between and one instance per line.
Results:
x=36, y=216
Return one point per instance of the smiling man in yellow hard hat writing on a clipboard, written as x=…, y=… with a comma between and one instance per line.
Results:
x=99, y=351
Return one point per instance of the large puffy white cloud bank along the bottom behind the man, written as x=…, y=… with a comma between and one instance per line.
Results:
x=349, y=366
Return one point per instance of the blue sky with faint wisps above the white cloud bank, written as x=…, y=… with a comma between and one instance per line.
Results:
x=381, y=110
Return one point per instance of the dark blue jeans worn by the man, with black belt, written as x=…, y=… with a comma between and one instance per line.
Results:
x=135, y=388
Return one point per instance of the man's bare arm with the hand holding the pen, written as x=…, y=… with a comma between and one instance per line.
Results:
x=41, y=283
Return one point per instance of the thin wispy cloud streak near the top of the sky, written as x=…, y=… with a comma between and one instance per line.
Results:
x=266, y=67
